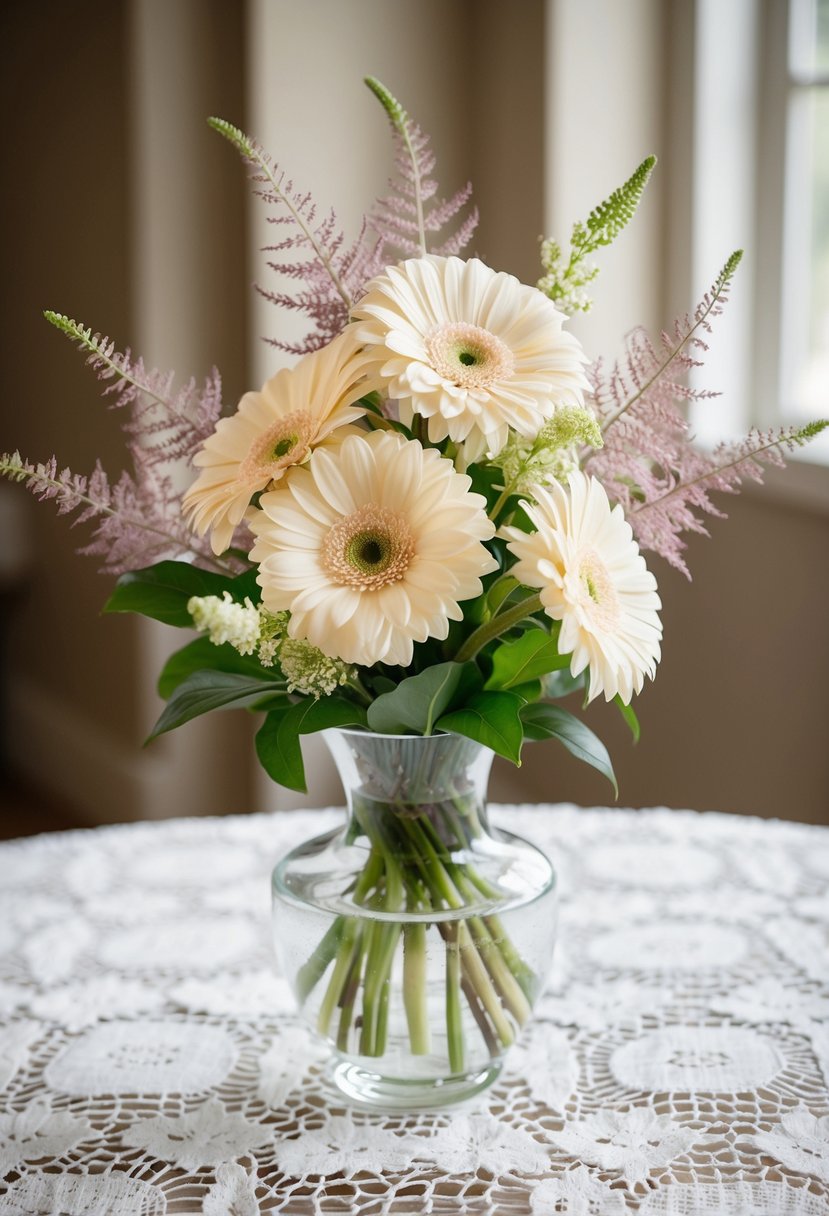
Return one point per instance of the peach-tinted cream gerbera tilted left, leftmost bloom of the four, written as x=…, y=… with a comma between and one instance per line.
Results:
x=296, y=412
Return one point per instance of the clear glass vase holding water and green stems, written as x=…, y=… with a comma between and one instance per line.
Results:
x=416, y=939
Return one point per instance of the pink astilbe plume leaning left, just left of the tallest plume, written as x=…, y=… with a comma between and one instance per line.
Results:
x=330, y=273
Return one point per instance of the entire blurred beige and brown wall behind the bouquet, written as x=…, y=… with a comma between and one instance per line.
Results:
x=126, y=212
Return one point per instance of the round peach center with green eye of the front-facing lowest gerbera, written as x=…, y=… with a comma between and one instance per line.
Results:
x=369, y=549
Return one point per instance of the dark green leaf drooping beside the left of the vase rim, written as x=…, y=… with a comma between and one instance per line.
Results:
x=278, y=741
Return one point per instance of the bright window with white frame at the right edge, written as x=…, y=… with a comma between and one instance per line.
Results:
x=762, y=182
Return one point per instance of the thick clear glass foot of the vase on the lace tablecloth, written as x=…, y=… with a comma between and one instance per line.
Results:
x=377, y=1093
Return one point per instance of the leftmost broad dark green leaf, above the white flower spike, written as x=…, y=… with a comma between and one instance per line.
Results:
x=162, y=592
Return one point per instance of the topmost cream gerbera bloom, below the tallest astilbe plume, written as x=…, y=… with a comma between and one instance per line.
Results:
x=472, y=350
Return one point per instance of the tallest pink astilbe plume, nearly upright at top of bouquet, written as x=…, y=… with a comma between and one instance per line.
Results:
x=407, y=219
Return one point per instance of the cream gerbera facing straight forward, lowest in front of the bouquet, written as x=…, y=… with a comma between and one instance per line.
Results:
x=373, y=548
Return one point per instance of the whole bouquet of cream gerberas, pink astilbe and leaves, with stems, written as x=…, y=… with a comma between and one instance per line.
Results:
x=432, y=525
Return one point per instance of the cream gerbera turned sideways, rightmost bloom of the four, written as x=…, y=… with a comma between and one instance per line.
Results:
x=593, y=579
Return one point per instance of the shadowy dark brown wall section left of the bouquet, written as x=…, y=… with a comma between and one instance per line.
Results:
x=111, y=213
